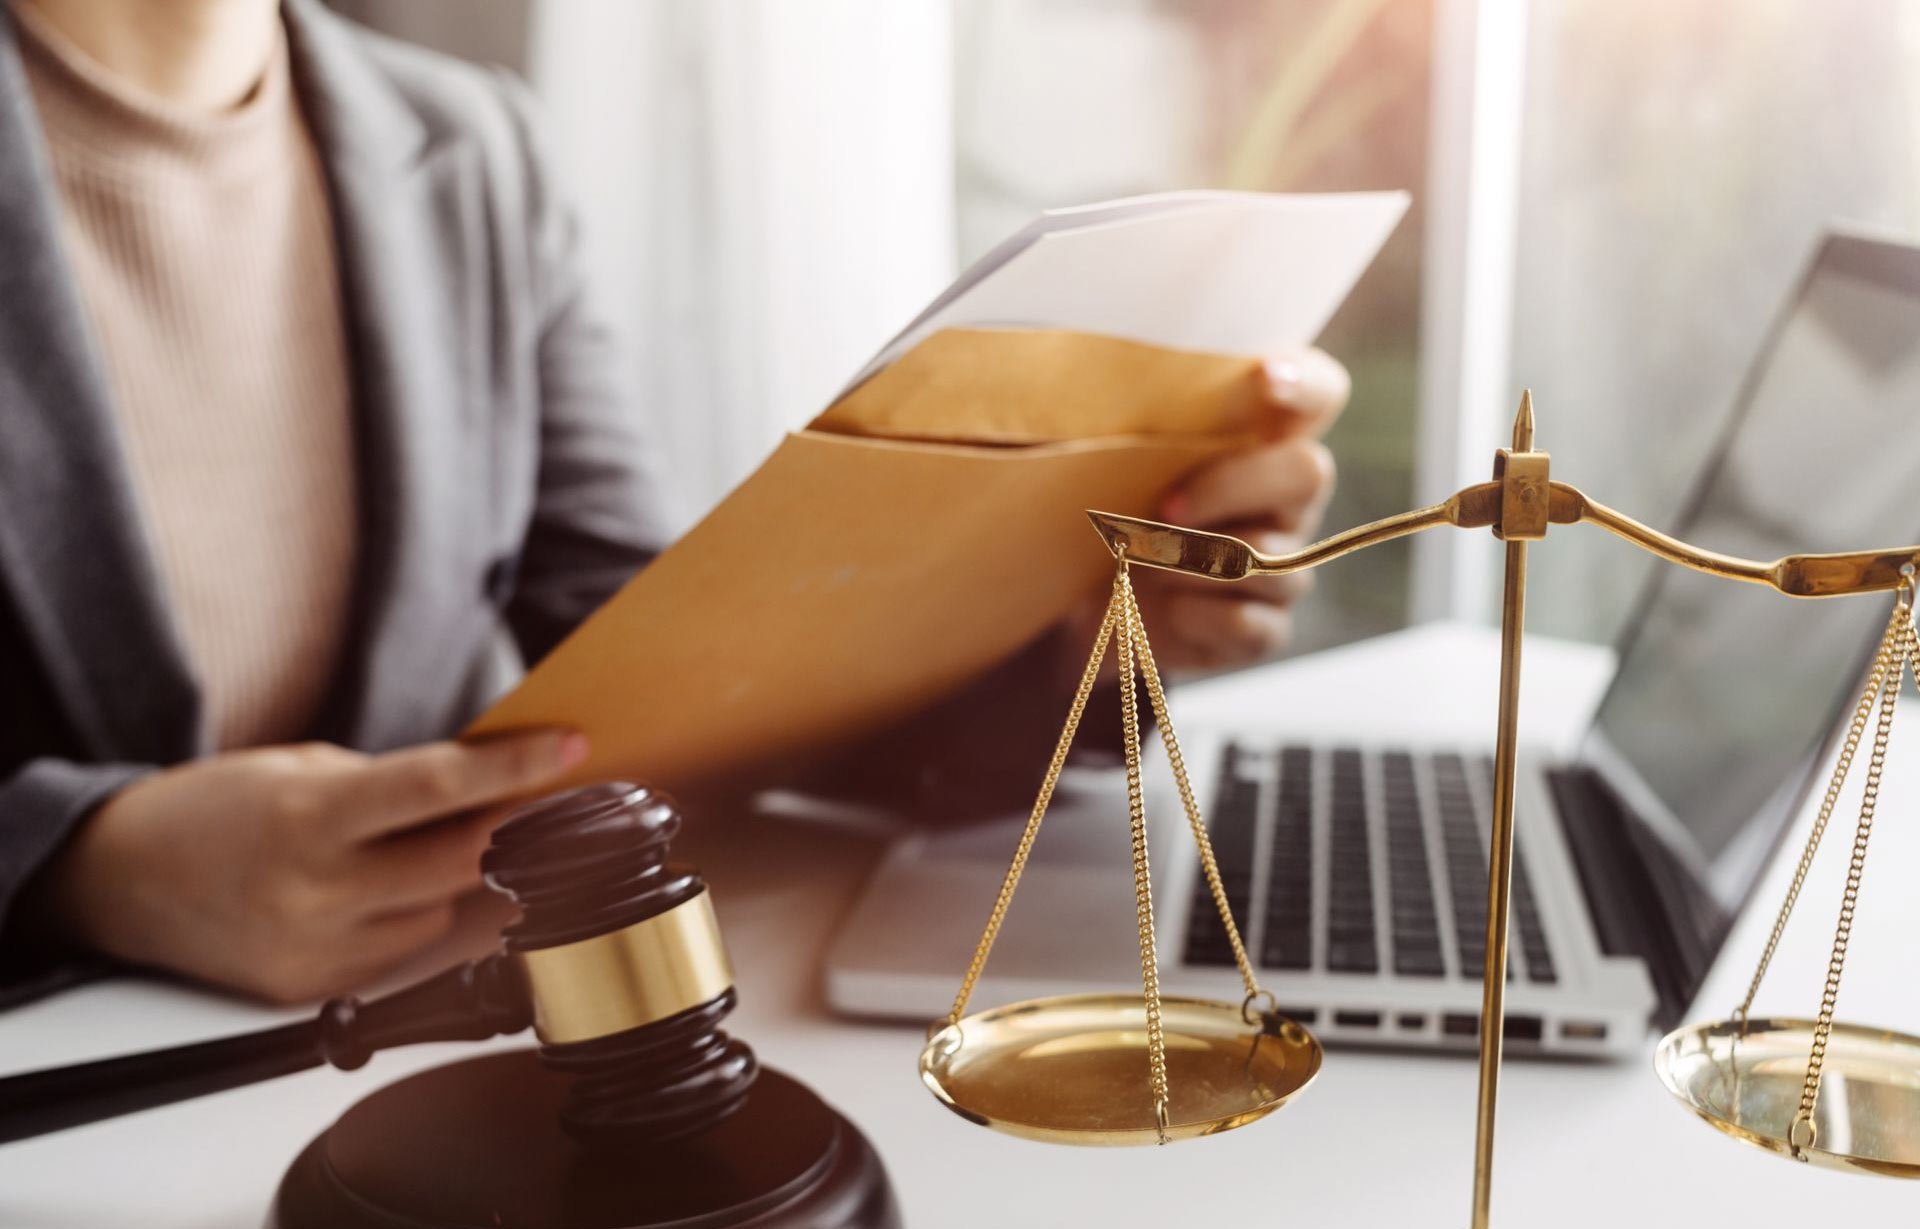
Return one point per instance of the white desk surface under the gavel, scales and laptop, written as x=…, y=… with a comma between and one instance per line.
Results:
x=1380, y=1140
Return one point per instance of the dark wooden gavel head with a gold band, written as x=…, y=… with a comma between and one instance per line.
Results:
x=623, y=965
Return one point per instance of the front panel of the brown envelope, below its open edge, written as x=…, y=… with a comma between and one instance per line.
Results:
x=846, y=585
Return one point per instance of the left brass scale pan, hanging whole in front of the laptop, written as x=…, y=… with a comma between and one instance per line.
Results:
x=1074, y=1071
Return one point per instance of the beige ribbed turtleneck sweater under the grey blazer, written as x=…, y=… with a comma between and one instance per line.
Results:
x=204, y=253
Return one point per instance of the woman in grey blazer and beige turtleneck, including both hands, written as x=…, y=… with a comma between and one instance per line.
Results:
x=304, y=404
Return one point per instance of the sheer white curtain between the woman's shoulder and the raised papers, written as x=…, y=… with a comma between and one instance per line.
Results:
x=767, y=193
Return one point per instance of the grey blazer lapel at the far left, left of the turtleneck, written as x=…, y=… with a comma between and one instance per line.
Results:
x=74, y=552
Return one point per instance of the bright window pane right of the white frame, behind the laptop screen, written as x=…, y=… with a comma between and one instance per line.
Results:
x=1679, y=164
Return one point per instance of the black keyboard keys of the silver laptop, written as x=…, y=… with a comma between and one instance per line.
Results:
x=1285, y=909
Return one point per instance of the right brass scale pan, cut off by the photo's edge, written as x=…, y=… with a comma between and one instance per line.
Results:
x=1869, y=1111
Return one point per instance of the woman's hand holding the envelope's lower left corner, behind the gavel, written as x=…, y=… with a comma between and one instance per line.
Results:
x=293, y=873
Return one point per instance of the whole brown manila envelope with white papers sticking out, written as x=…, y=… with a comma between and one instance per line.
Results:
x=921, y=531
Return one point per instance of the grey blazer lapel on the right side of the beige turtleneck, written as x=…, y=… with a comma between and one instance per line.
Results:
x=406, y=272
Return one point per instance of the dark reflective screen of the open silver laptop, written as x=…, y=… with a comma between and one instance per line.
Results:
x=1727, y=692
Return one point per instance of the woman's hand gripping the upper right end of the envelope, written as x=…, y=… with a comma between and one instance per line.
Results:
x=1274, y=498
